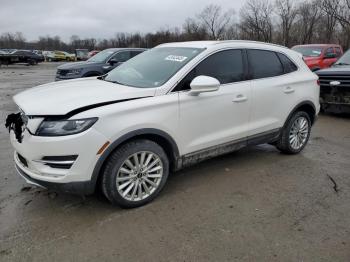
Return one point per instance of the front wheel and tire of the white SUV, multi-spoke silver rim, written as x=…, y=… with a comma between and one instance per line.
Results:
x=135, y=173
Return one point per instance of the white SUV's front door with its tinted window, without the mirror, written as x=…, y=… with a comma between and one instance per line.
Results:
x=218, y=117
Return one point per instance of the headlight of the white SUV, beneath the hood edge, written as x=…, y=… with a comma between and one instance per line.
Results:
x=64, y=127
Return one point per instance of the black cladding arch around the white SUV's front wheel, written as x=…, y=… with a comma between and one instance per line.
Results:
x=160, y=137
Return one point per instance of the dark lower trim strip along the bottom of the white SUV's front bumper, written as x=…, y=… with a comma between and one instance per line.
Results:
x=77, y=188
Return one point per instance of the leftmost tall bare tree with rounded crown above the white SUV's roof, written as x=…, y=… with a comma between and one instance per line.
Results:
x=215, y=21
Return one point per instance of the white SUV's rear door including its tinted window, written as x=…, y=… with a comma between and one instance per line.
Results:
x=274, y=89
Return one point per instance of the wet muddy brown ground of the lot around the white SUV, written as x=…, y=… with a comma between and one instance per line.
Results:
x=252, y=205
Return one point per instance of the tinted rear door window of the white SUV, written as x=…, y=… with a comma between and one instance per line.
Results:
x=264, y=64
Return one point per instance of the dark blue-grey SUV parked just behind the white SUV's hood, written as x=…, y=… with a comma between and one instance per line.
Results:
x=99, y=64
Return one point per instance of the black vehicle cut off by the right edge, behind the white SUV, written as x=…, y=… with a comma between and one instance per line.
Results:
x=335, y=86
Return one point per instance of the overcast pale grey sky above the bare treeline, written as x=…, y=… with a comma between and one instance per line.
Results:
x=99, y=18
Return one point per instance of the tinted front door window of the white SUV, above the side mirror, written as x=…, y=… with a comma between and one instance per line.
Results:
x=226, y=66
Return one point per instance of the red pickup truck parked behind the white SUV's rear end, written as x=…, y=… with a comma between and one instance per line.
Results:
x=319, y=56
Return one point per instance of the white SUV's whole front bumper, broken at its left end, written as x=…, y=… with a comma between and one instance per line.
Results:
x=59, y=163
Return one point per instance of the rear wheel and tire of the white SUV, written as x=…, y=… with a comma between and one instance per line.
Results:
x=295, y=134
